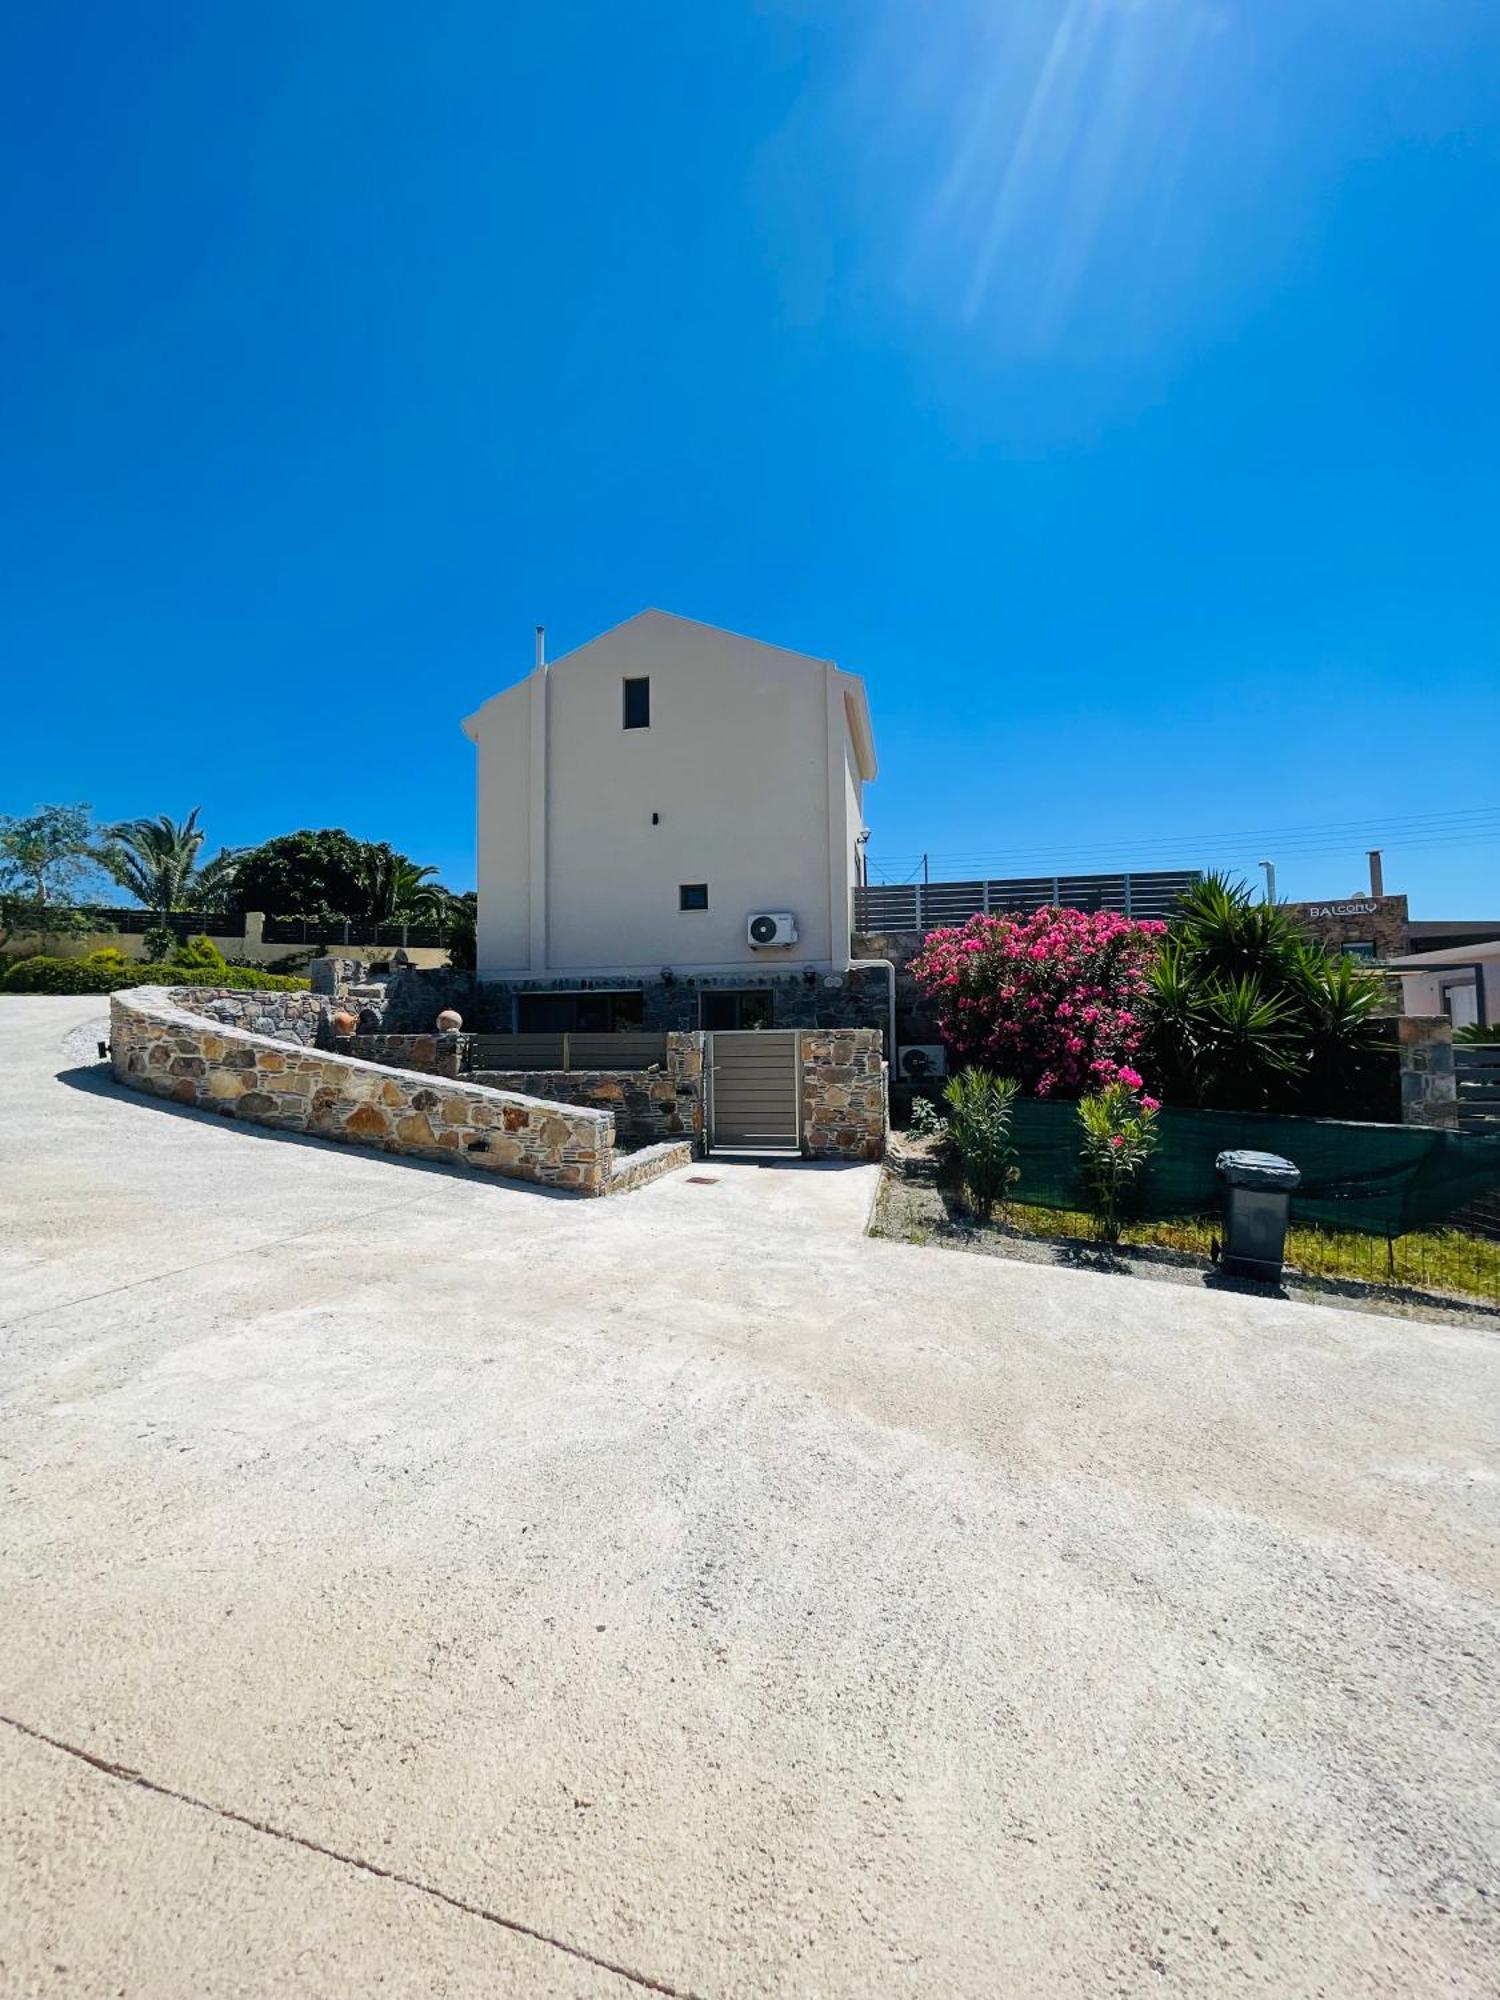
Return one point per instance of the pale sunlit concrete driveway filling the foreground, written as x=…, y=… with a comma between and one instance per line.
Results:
x=427, y=1587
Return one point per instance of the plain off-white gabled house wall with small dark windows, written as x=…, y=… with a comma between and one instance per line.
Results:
x=749, y=779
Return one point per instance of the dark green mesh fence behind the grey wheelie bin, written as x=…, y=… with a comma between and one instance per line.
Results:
x=1383, y=1181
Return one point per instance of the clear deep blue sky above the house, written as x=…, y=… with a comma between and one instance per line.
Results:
x=1113, y=383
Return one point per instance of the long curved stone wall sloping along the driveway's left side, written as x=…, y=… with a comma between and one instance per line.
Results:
x=169, y=1043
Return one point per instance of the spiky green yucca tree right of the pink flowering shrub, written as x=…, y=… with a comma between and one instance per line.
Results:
x=1247, y=1015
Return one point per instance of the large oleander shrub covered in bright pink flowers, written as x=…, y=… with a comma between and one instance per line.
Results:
x=1055, y=999
